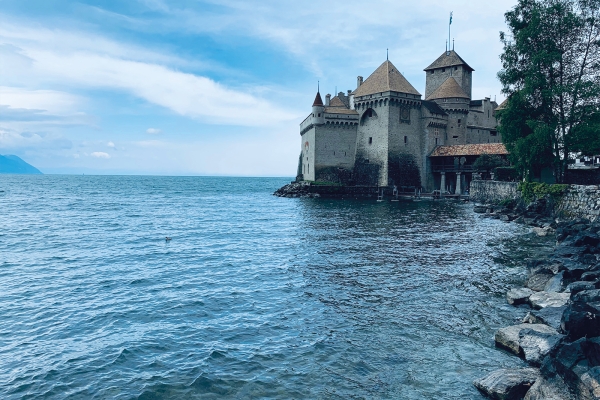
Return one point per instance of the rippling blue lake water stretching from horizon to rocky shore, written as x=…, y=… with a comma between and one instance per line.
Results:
x=255, y=296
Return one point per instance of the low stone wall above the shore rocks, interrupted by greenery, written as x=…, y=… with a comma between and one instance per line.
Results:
x=579, y=201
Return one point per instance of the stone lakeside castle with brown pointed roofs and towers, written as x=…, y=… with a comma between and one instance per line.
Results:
x=384, y=134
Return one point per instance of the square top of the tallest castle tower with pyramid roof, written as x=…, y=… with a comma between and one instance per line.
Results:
x=449, y=64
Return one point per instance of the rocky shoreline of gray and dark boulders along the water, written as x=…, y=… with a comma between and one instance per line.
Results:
x=559, y=336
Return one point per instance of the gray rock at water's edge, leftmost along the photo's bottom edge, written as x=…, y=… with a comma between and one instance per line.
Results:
x=507, y=384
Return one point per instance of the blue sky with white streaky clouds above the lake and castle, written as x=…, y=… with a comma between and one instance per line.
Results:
x=208, y=87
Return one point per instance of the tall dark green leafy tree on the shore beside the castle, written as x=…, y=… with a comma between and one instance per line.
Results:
x=551, y=76
